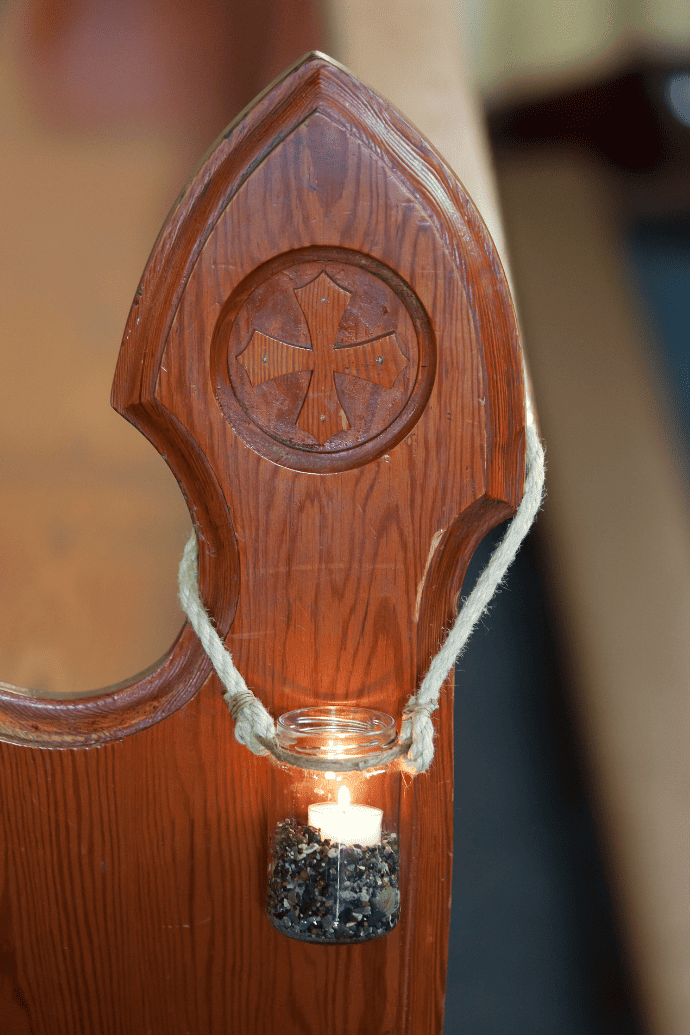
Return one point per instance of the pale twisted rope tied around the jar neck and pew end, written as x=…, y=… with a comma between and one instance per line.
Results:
x=254, y=725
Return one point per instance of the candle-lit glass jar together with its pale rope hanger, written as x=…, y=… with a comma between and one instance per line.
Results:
x=334, y=821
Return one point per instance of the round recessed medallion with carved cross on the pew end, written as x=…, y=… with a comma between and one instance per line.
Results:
x=323, y=360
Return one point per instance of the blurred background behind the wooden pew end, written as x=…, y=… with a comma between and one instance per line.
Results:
x=571, y=126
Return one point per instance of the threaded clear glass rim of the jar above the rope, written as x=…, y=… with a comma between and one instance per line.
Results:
x=336, y=732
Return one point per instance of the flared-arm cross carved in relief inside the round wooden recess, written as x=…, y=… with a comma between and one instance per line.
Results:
x=377, y=360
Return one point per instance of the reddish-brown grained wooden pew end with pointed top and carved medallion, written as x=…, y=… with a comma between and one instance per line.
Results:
x=331, y=566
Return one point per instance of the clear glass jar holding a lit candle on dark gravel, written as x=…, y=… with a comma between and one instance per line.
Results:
x=335, y=856
